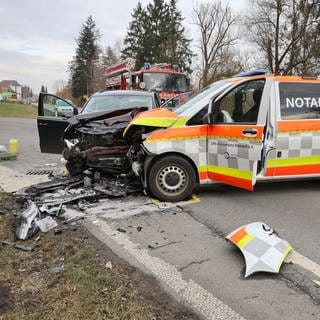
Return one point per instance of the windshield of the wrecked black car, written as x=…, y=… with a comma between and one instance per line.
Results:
x=116, y=102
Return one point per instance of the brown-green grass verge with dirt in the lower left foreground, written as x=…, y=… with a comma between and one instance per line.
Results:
x=85, y=287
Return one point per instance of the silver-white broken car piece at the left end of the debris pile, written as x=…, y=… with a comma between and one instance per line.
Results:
x=25, y=225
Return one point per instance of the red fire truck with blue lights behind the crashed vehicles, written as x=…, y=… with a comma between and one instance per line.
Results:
x=166, y=79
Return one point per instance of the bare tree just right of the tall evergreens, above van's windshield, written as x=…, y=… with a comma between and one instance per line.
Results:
x=215, y=23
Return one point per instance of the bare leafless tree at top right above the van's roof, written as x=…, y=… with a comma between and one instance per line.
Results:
x=281, y=30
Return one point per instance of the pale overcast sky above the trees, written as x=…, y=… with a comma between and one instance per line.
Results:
x=37, y=38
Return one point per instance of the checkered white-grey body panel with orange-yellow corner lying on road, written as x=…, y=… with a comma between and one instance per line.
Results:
x=262, y=249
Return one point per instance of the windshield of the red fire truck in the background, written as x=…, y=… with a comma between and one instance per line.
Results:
x=165, y=82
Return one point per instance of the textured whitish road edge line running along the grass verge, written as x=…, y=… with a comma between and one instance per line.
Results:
x=204, y=302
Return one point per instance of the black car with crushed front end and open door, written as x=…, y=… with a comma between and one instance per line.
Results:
x=93, y=139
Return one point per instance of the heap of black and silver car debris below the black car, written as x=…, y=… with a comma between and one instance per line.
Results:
x=66, y=198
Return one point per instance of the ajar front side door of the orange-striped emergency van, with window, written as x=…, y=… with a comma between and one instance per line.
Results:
x=235, y=139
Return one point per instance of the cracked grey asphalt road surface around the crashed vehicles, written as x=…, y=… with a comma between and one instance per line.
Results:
x=185, y=247
